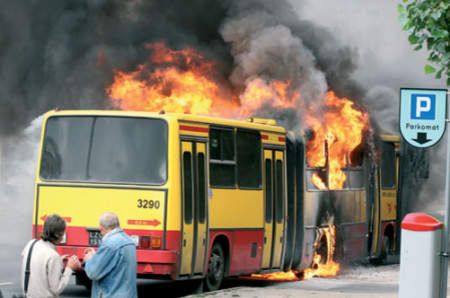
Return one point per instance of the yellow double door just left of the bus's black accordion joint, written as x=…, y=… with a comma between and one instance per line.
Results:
x=274, y=208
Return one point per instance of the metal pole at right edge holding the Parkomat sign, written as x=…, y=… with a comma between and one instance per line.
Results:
x=444, y=252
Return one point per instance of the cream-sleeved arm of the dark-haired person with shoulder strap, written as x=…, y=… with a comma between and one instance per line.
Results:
x=58, y=276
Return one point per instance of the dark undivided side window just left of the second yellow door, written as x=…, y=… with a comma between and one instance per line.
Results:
x=248, y=145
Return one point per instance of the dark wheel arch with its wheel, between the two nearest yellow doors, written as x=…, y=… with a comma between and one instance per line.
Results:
x=218, y=263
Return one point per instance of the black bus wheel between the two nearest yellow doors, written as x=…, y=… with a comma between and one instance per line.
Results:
x=216, y=268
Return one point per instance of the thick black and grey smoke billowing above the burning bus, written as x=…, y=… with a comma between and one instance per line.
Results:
x=62, y=54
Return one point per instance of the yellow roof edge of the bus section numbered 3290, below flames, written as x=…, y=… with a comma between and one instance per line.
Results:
x=171, y=116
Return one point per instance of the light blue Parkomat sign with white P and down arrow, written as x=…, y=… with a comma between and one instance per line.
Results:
x=423, y=116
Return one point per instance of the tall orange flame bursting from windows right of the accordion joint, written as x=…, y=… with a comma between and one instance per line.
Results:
x=336, y=137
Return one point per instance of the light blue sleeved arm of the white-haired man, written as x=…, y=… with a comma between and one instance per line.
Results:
x=101, y=263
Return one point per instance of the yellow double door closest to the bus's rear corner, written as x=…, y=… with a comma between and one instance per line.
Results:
x=194, y=202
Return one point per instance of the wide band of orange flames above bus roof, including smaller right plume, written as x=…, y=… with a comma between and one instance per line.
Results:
x=183, y=81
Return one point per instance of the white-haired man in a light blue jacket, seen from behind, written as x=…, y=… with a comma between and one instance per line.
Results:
x=112, y=268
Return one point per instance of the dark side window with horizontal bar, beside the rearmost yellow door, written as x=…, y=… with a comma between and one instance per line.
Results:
x=222, y=159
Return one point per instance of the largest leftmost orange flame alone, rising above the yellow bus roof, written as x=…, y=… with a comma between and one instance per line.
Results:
x=176, y=81
